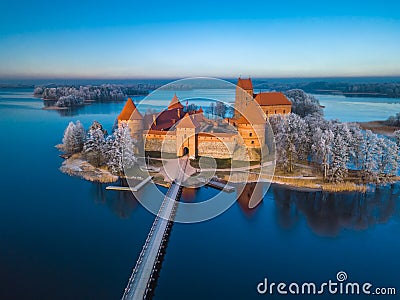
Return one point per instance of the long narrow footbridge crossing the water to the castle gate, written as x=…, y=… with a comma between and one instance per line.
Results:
x=141, y=284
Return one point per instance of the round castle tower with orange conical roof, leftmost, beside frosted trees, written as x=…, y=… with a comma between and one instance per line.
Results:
x=131, y=116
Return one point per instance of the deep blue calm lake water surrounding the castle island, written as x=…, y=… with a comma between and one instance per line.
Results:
x=65, y=238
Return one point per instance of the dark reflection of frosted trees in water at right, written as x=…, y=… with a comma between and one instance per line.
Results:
x=329, y=213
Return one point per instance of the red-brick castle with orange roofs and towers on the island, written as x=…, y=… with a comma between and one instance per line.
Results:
x=180, y=131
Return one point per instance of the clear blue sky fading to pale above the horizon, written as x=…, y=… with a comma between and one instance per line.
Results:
x=151, y=39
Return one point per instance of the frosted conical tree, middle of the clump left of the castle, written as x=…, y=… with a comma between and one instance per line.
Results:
x=94, y=147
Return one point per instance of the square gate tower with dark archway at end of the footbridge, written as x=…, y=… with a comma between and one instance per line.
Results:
x=186, y=136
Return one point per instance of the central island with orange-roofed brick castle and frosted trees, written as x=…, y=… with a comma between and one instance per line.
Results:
x=268, y=136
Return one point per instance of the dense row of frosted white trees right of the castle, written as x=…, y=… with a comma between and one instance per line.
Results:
x=337, y=148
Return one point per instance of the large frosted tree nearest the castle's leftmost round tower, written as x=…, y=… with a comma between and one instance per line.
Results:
x=120, y=150
